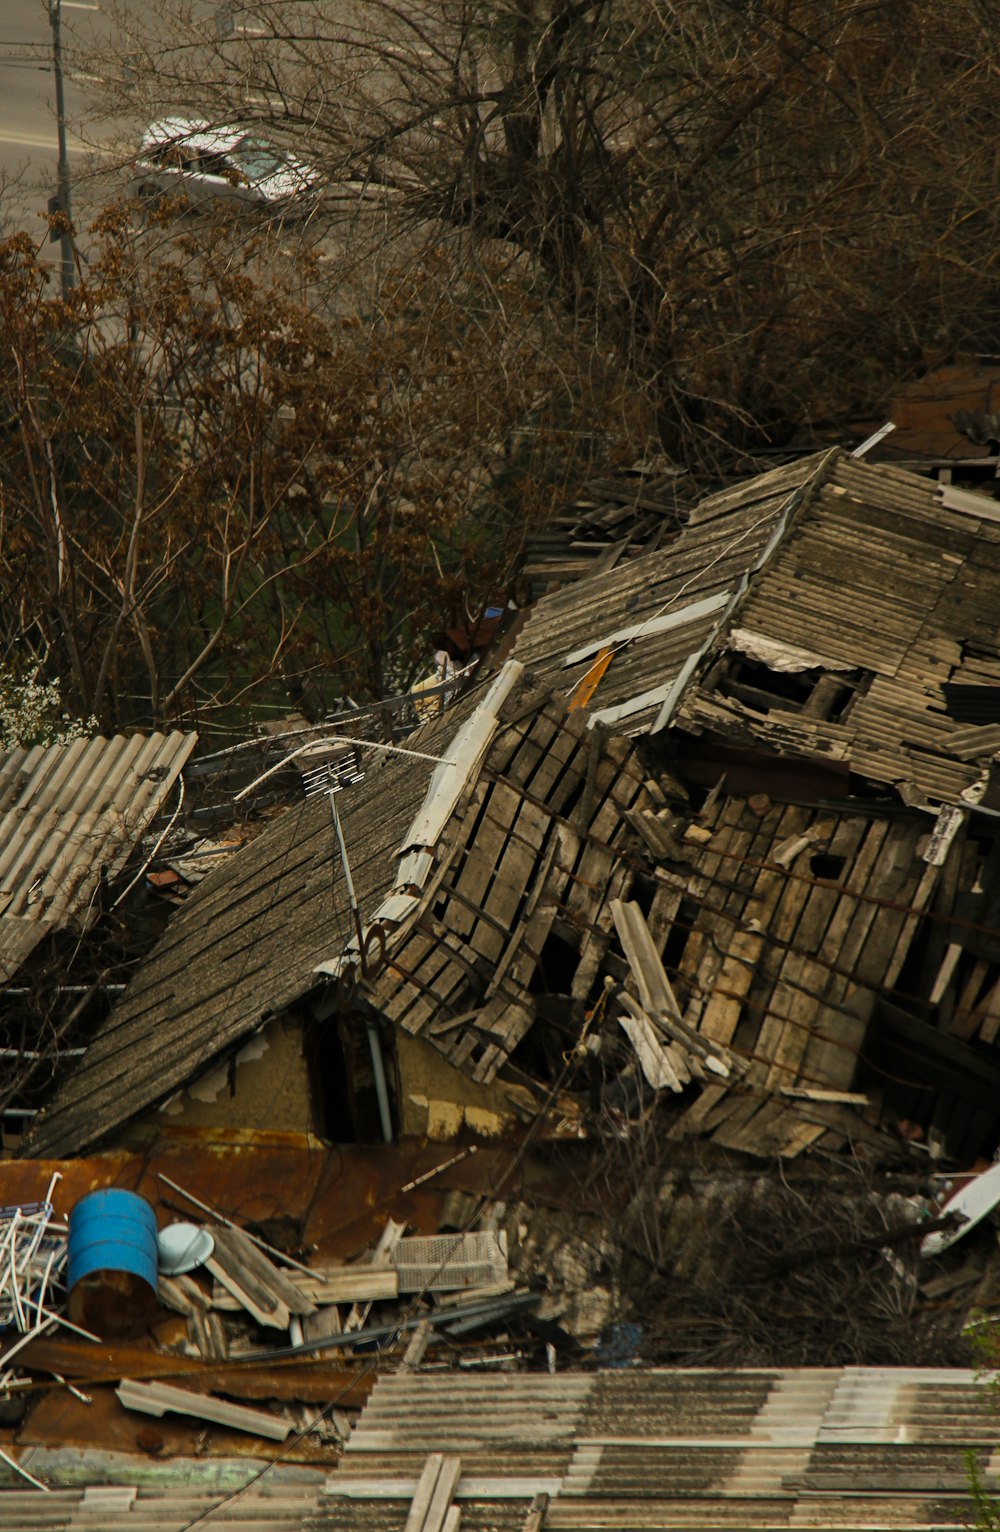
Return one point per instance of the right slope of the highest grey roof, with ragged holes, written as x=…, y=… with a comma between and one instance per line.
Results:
x=894, y=595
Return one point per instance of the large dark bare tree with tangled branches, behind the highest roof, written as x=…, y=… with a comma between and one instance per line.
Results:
x=766, y=211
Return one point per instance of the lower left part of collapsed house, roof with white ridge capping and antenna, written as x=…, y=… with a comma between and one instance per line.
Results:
x=463, y=851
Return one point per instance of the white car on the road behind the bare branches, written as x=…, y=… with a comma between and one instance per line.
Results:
x=200, y=163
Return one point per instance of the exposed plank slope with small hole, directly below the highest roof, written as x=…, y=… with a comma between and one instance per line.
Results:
x=791, y=925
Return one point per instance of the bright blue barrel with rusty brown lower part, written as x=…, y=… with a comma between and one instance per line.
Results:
x=113, y=1263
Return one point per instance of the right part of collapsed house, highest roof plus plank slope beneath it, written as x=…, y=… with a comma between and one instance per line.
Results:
x=820, y=652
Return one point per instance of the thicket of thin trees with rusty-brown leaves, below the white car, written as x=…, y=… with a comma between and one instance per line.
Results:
x=212, y=493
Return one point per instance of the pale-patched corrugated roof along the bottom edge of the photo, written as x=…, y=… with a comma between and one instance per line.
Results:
x=659, y=1449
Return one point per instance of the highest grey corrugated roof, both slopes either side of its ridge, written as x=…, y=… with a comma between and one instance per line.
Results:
x=834, y=609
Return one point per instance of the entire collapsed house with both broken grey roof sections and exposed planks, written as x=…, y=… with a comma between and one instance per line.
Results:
x=722, y=833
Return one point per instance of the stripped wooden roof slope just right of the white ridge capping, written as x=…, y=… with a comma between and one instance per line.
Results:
x=534, y=853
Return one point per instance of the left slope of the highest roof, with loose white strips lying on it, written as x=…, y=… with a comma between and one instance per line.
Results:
x=673, y=603
